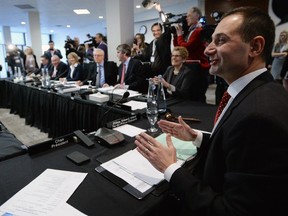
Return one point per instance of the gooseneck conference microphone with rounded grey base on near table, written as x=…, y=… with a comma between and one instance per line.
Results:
x=108, y=136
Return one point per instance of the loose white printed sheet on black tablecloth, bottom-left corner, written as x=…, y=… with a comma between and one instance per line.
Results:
x=45, y=194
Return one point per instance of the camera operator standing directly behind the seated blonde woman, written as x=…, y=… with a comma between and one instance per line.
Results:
x=75, y=46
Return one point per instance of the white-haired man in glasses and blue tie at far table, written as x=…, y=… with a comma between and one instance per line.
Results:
x=102, y=73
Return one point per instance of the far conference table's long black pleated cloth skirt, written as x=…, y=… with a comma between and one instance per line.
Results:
x=54, y=113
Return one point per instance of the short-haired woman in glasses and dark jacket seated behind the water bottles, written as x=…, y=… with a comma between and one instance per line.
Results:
x=179, y=80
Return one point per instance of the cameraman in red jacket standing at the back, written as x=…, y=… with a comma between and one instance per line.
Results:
x=193, y=42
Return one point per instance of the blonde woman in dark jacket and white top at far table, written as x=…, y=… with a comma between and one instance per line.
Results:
x=75, y=70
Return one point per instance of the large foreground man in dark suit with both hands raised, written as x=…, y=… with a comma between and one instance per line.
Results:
x=242, y=167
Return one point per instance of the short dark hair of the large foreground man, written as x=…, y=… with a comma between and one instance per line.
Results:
x=256, y=23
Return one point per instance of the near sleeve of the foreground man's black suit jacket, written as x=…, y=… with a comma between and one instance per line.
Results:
x=255, y=176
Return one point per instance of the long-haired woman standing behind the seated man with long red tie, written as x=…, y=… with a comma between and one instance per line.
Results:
x=138, y=47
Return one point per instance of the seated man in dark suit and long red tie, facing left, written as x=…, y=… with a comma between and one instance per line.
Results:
x=131, y=71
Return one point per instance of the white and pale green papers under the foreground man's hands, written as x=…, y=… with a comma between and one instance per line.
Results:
x=137, y=171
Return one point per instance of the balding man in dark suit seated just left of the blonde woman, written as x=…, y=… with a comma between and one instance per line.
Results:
x=59, y=69
